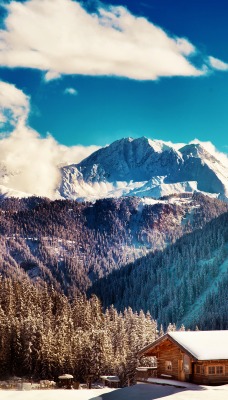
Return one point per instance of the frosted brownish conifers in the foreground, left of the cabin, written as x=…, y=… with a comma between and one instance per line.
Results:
x=44, y=335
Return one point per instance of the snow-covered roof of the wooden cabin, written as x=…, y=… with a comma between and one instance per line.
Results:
x=202, y=345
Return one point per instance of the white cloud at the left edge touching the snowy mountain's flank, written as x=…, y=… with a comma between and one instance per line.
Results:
x=28, y=162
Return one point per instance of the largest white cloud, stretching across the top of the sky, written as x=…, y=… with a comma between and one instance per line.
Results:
x=61, y=37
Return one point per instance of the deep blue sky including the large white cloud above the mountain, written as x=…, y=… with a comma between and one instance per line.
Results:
x=78, y=103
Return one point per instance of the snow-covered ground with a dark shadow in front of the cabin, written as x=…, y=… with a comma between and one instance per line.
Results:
x=137, y=392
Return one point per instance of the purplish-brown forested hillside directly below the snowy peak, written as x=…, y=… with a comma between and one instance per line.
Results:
x=69, y=244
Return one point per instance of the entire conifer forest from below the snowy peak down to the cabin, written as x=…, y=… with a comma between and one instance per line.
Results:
x=83, y=286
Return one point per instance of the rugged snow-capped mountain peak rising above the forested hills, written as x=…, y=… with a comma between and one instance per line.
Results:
x=145, y=168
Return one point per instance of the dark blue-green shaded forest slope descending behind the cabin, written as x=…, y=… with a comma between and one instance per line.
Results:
x=186, y=283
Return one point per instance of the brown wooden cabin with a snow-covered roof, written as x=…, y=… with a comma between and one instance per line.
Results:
x=200, y=357
